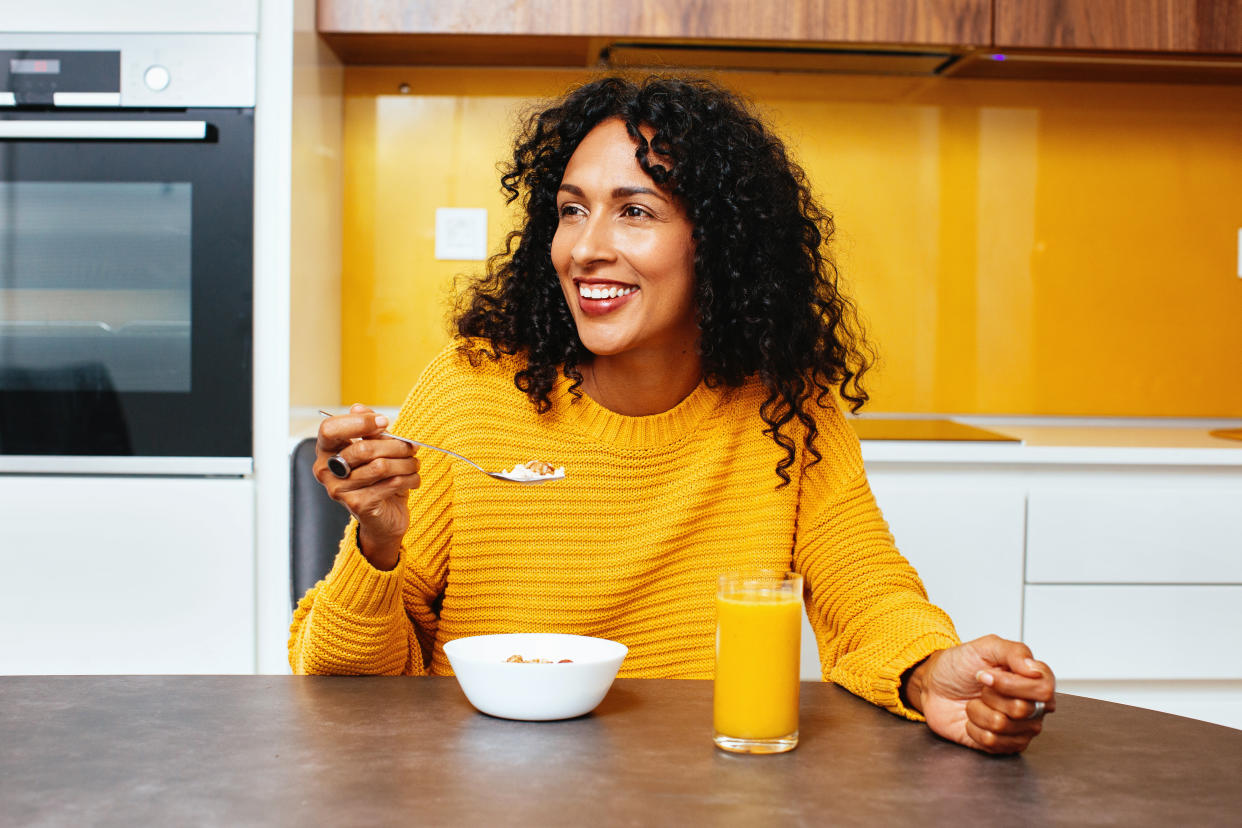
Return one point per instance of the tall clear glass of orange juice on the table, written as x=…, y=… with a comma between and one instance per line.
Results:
x=758, y=645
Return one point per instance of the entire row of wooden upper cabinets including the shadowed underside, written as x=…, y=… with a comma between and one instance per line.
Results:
x=1045, y=38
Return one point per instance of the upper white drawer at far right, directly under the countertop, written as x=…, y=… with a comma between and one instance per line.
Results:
x=1135, y=537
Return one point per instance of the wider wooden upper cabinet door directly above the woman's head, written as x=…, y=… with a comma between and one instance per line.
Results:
x=942, y=23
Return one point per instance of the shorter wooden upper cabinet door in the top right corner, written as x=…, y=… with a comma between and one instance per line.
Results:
x=1209, y=27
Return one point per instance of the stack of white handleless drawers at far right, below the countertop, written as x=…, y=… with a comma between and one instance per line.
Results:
x=1135, y=585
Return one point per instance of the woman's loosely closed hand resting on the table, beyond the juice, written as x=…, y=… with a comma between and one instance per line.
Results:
x=989, y=695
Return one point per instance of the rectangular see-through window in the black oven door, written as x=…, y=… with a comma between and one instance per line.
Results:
x=95, y=286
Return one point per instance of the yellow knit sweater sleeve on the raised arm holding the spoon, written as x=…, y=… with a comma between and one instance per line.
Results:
x=363, y=621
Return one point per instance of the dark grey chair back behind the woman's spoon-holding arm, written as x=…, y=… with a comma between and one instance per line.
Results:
x=316, y=524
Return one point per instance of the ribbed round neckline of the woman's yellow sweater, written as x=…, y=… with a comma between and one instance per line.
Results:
x=648, y=431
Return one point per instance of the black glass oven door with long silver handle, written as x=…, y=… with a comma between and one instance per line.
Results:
x=126, y=289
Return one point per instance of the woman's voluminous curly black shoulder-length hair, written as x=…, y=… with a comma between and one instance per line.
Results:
x=766, y=289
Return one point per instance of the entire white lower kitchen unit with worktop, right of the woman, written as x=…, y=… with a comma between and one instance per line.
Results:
x=1121, y=567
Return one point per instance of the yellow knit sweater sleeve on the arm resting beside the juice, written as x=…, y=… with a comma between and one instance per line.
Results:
x=868, y=605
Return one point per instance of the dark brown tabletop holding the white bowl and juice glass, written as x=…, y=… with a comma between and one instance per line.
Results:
x=369, y=752
